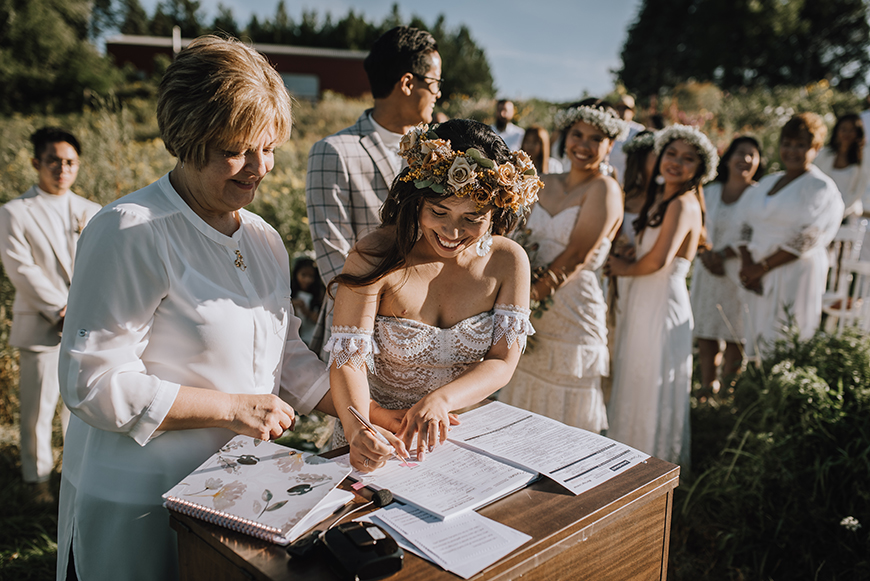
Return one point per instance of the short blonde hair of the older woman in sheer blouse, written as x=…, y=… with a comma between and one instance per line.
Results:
x=217, y=93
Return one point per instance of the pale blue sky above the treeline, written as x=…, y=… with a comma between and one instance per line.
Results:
x=552, y=49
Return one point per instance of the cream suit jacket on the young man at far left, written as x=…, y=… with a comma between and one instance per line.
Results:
x=39, y=262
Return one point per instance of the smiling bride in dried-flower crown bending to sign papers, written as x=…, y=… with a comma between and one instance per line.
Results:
x=431, y=309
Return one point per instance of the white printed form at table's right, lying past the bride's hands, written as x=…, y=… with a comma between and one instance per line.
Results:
x=576, y=459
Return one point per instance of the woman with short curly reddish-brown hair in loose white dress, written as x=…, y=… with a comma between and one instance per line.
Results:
x=788, y=222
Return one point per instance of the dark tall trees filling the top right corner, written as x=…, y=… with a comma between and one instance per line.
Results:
x=736, y=43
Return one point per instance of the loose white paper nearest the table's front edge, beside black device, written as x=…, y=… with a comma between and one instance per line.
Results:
x=464, y=545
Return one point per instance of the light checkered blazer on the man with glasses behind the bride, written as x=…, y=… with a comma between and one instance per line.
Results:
x=349, y=177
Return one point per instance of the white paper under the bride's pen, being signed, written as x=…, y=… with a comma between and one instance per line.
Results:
x=450, y=481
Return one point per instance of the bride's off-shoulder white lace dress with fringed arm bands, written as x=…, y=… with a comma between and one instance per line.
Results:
x=407, y=359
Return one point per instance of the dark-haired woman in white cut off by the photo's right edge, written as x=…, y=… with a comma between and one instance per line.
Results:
x=843, y=161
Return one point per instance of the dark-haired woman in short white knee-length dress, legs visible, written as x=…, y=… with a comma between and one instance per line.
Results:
x=715, y=278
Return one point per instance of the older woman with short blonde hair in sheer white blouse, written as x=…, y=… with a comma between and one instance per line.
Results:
x=180, y=332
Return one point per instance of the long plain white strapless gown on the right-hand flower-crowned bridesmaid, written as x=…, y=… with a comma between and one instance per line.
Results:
x=652, y=370
